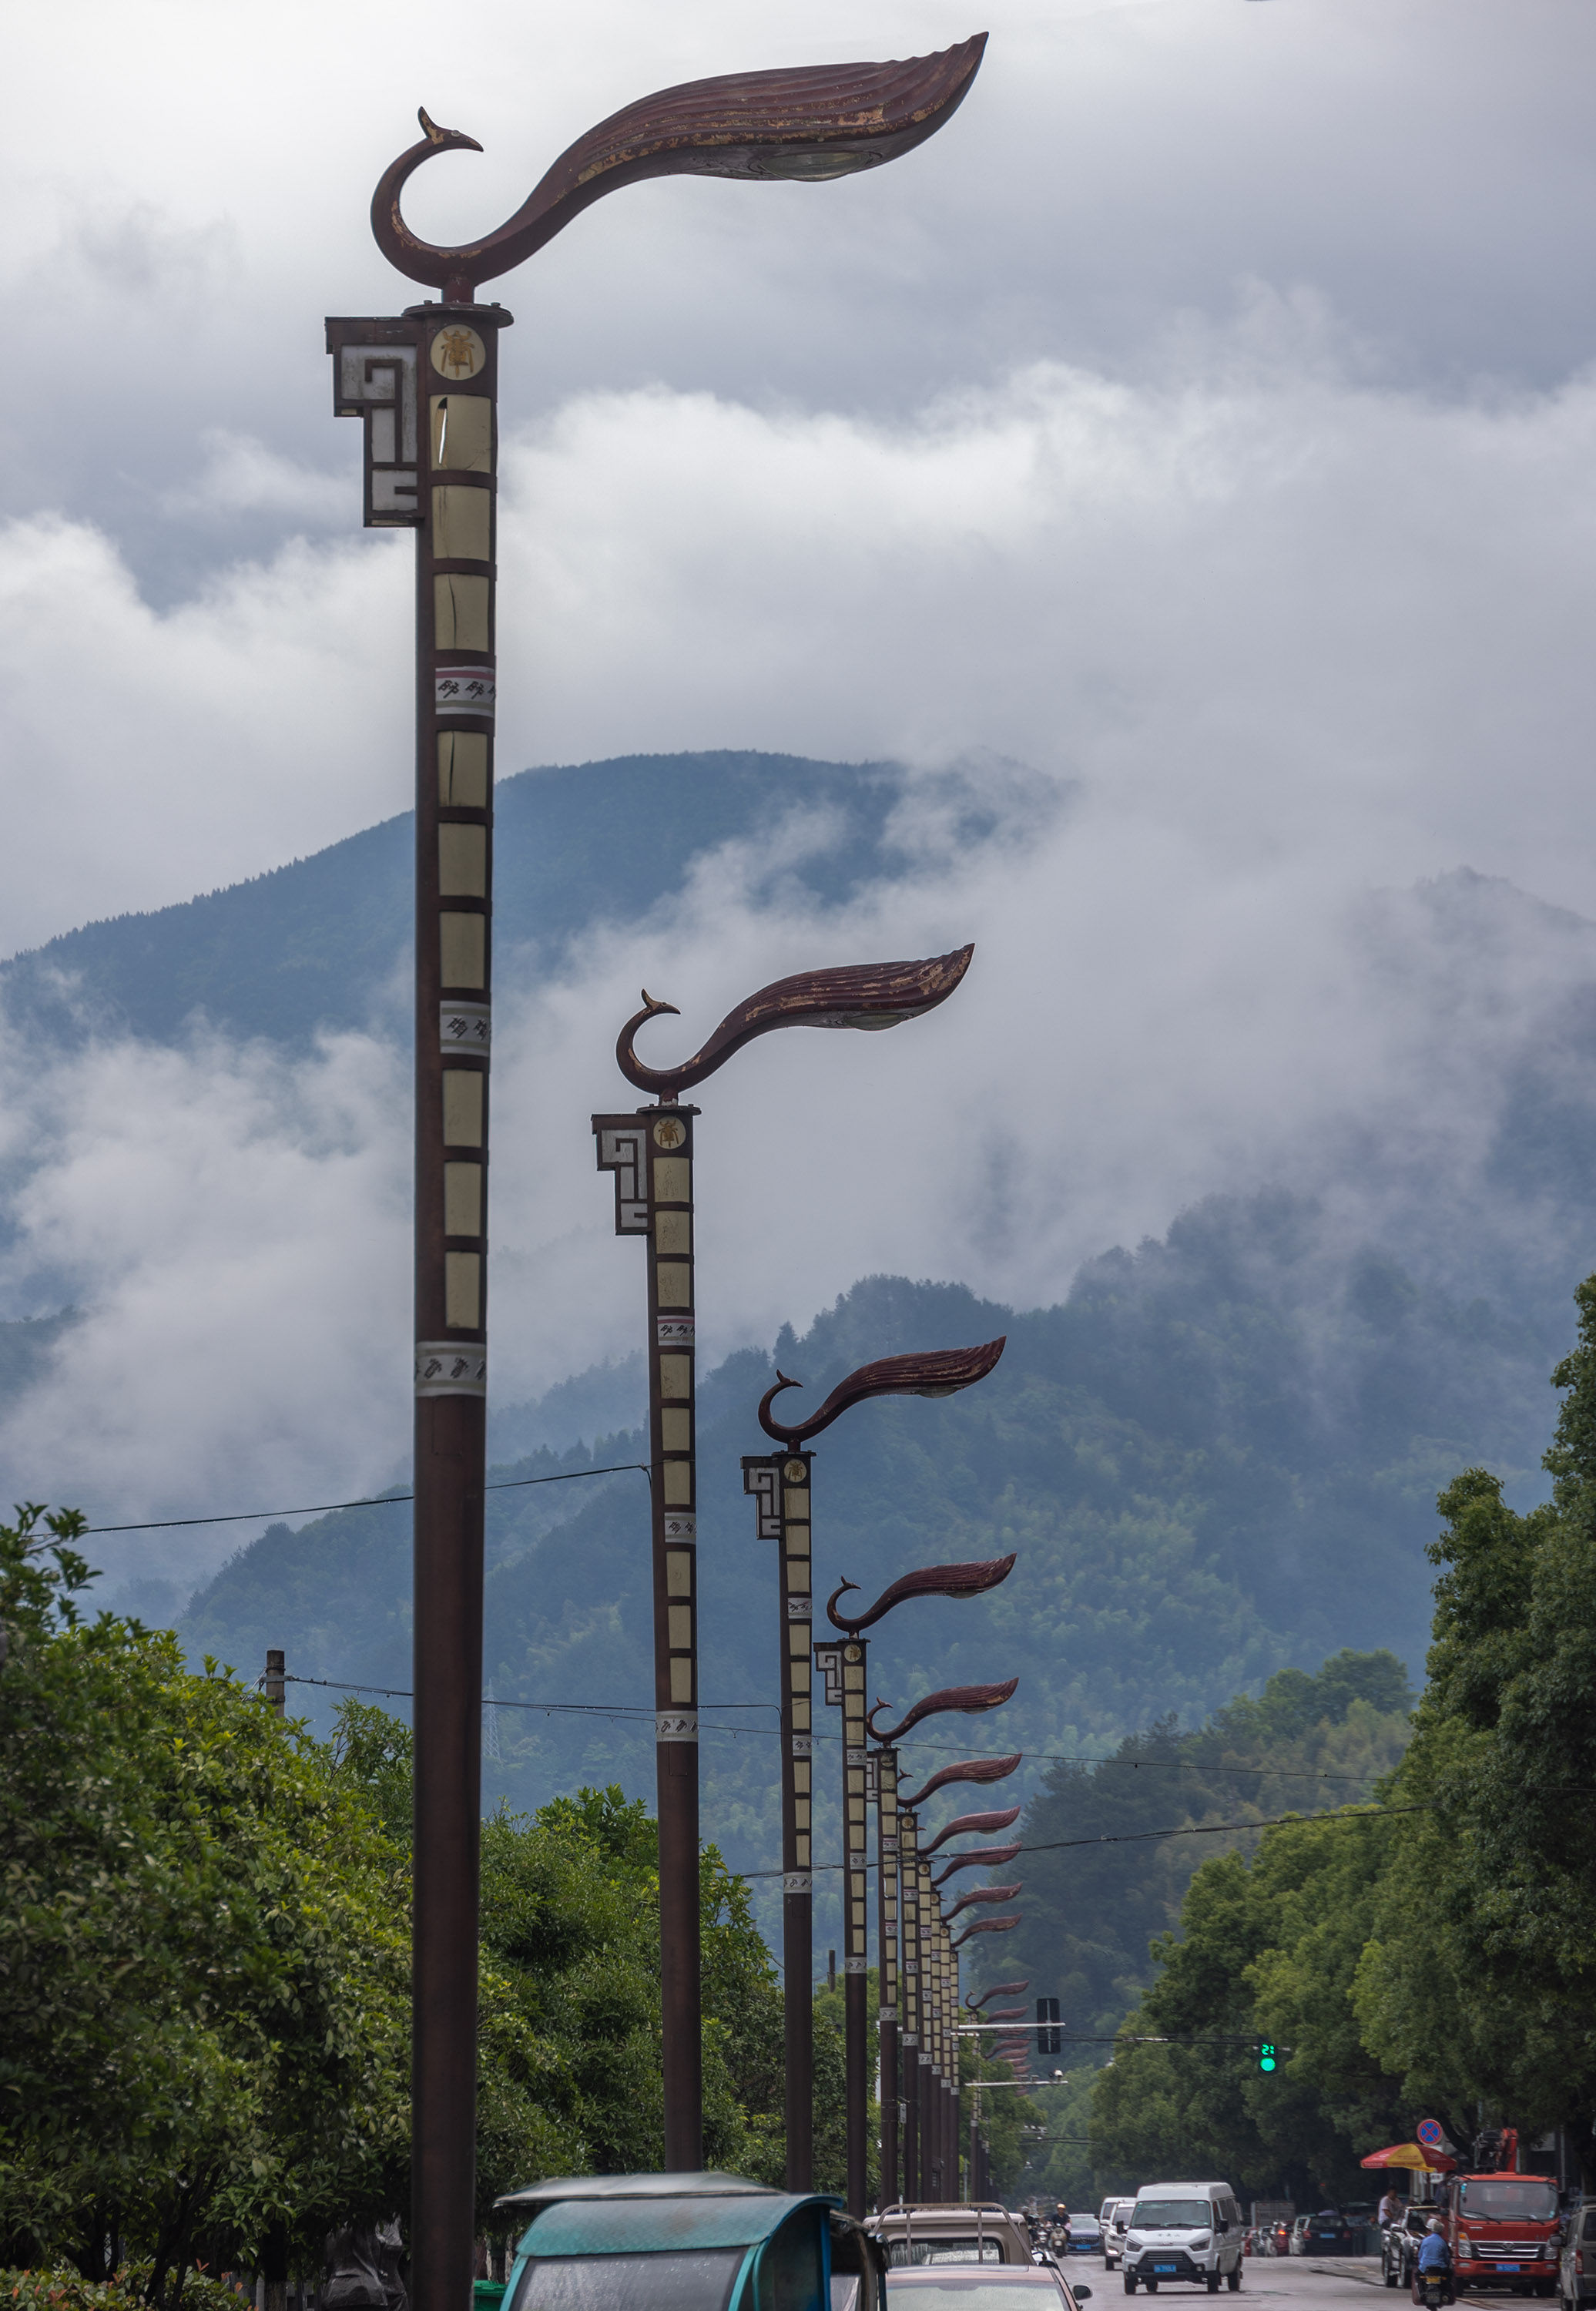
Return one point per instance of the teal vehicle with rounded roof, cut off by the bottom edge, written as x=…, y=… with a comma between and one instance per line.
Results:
x=609, y=2243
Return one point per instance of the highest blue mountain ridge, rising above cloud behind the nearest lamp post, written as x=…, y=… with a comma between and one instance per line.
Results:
x=325, y=944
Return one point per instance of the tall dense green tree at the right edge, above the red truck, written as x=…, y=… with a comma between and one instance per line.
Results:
x=1477, y=1984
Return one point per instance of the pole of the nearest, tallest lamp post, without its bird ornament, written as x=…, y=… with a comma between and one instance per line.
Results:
x=426, y=387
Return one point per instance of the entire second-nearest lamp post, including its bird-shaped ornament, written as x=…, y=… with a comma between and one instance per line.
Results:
x=650, y=1154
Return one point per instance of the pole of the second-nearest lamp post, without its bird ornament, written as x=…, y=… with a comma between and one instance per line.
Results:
x=652, y=1161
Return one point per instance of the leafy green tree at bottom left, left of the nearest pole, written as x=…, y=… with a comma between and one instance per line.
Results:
x=202, y=1949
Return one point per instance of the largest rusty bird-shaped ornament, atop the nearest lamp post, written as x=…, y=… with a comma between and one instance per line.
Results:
x=807, y=124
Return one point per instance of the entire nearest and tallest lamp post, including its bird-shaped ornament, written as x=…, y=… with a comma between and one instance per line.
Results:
x=426, y=385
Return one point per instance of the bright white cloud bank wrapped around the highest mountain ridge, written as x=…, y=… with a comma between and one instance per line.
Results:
x=1265, y=641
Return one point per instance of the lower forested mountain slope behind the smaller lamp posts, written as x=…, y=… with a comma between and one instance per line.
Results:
x=1216, y=1459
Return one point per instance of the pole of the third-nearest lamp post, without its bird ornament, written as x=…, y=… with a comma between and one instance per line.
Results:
x=782, y=1489
